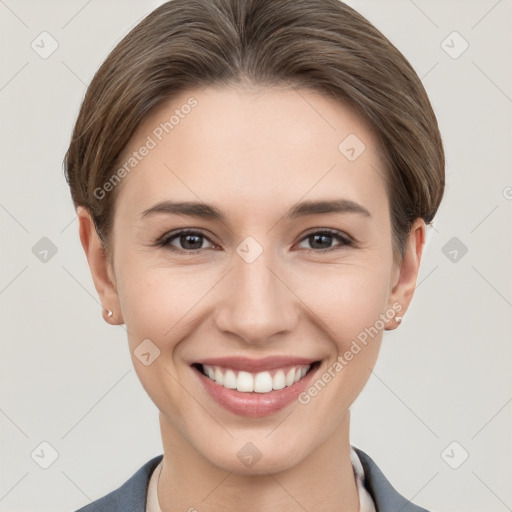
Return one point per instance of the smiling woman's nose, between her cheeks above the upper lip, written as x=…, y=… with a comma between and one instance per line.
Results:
x=256, y=303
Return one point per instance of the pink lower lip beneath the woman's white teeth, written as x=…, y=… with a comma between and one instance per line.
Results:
x=254, y=404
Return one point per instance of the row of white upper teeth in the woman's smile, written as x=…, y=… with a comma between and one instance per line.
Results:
x=261, y=382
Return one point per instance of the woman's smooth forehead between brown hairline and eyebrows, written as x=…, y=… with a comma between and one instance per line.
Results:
x=251, y=148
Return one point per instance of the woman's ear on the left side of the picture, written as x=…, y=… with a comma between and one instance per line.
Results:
x=101, y=267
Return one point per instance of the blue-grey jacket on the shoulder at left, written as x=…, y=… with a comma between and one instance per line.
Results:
x=129, y=497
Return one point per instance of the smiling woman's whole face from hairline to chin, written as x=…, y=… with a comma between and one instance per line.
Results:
x=268, y=270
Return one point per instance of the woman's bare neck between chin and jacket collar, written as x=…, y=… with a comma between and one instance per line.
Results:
x=322, y=481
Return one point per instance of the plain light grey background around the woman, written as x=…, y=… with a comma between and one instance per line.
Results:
x=443, y=376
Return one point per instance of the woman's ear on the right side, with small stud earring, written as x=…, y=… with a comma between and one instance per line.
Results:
x=405, y=275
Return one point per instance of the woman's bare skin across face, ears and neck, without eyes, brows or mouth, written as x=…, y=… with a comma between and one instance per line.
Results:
x=253, y=153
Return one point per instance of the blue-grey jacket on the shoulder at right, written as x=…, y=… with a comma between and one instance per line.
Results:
x=385, y=496
